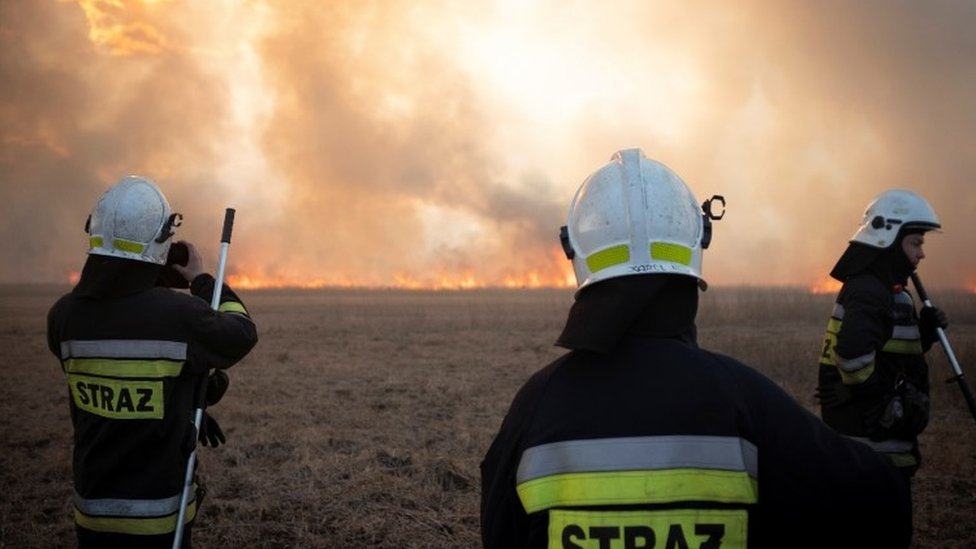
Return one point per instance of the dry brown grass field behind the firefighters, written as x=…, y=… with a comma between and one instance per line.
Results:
x=360, y=419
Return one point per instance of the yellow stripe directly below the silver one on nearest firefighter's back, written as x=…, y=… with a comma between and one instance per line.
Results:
x=637, y=487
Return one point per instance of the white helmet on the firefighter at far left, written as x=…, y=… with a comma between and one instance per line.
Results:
x=132, y=220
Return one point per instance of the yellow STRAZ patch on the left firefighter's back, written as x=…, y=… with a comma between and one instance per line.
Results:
x=116, y=399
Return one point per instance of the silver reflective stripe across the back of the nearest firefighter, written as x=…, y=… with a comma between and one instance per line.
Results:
x=638, y=453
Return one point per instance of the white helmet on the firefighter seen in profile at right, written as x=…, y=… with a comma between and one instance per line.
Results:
x=890, y=212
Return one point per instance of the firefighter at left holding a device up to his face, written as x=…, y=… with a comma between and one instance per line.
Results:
x=134, y=355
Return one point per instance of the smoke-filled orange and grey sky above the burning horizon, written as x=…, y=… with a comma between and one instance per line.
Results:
x=426, y=143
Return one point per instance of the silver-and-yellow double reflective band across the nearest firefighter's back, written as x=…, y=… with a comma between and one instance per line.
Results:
x=638, y=470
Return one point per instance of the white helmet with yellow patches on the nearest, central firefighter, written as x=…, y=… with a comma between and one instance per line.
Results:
x=635, y=216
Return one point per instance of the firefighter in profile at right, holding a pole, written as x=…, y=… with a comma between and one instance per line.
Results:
x=873, y=381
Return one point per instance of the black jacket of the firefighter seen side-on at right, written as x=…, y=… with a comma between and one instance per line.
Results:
x=873, y=377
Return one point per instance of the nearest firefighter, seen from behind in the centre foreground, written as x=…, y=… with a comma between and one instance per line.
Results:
x=638, y=438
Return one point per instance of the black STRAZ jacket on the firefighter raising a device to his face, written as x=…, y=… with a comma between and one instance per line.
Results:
x=134, y=356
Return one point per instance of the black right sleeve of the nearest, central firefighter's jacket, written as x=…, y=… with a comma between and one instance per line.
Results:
x=818, y=488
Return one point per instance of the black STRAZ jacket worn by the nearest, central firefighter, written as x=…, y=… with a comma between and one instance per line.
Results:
x=659, y=443
